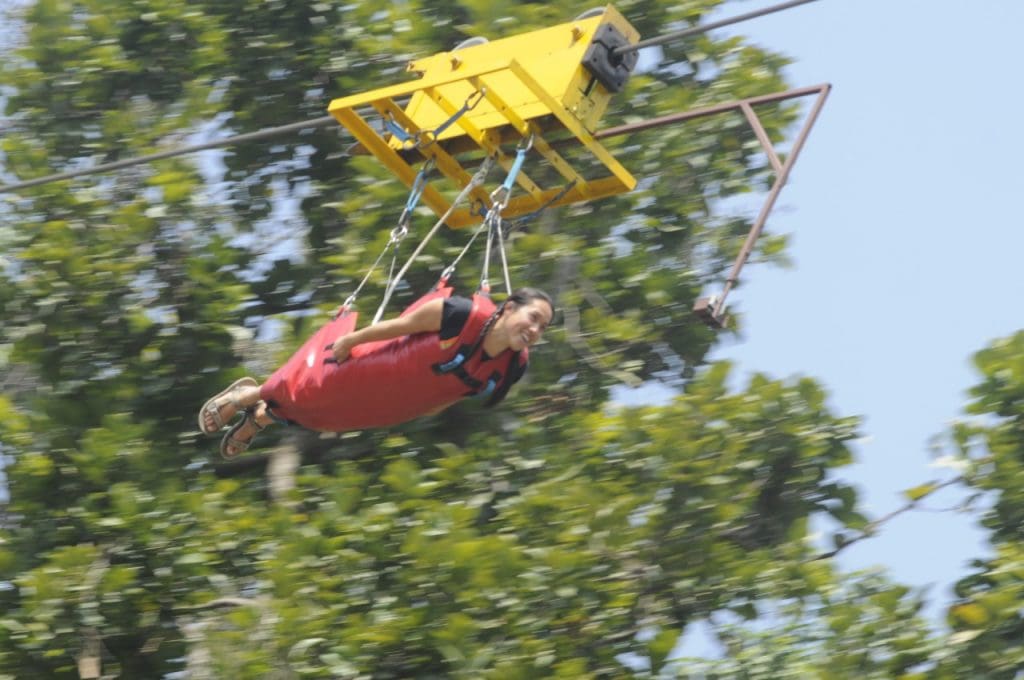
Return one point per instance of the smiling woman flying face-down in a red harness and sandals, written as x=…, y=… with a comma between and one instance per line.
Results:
x=440, y=351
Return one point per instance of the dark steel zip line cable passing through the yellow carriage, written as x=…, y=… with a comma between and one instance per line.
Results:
x=325, y=121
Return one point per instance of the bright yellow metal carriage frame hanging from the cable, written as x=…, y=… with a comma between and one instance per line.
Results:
x=514, y=96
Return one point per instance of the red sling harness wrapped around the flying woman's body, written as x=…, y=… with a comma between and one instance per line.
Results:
x=390, y=381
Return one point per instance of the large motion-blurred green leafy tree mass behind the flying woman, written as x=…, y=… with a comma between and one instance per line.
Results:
x=561, y=537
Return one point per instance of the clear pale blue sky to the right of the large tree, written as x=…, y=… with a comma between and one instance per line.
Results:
x=905, y=228
